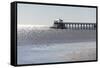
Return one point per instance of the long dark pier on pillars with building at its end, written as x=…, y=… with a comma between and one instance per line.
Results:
x=59, y=24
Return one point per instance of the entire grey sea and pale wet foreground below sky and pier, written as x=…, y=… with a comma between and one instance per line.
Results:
x=45, y=45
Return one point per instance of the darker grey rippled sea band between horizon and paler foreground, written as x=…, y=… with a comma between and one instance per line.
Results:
x=45, y=35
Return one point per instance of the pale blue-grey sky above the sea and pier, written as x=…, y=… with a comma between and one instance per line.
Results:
x=32, y=14
